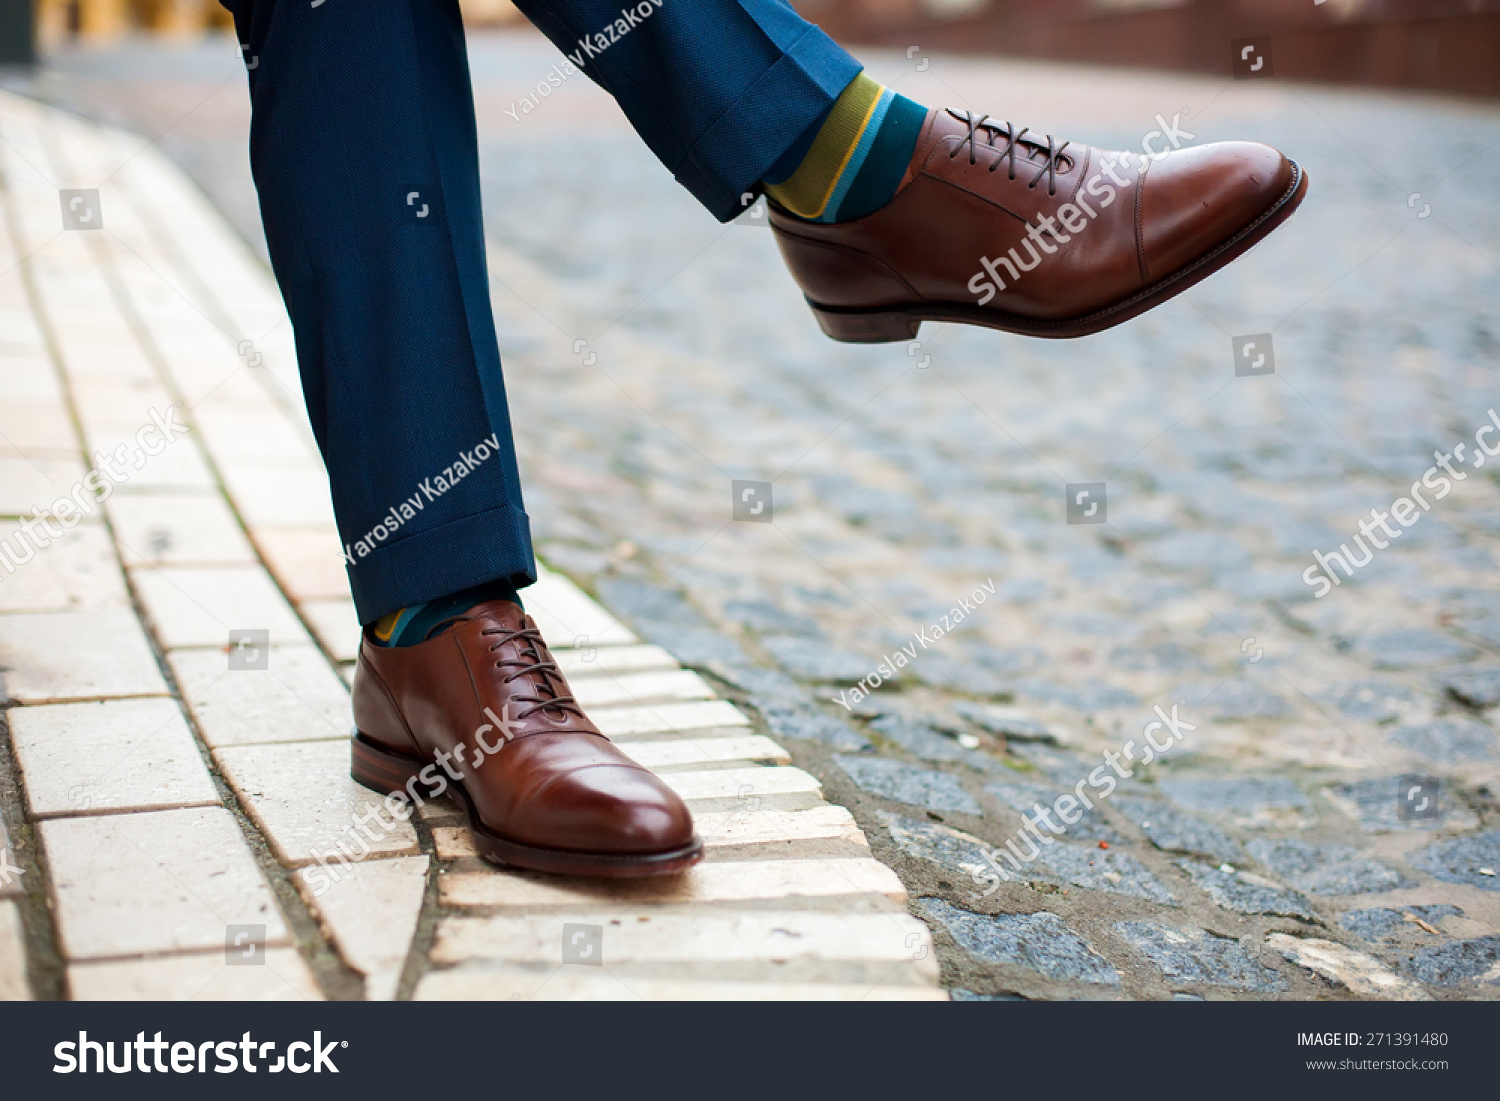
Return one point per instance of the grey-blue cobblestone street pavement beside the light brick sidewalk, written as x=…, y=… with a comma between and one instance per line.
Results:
x=1325, y=821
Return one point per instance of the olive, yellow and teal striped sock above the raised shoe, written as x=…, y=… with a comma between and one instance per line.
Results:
x=856, y=163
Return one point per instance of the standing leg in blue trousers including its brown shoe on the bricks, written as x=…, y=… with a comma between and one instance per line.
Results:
x=367, y=164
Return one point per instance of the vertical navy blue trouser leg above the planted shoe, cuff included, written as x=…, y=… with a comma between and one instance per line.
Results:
x=365, y=157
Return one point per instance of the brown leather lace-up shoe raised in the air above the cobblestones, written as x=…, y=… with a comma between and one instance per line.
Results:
x=1010, y=232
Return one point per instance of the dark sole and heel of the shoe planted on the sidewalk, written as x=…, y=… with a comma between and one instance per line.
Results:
x=388, y=773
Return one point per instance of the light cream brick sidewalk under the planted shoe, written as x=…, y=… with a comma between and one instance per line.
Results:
x=169, y=805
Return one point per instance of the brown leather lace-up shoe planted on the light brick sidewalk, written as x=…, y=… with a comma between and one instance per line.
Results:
x=484, y=709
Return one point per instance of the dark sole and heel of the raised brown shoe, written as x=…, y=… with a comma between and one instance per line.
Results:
x=887, y=326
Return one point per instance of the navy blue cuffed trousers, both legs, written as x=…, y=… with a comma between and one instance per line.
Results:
x=365, y=157
